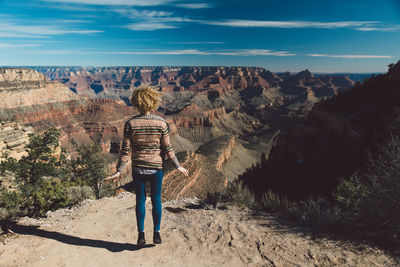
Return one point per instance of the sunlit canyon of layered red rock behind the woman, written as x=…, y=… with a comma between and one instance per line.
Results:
x=221, y=118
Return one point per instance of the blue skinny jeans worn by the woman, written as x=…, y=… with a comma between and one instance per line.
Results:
x=140, y=190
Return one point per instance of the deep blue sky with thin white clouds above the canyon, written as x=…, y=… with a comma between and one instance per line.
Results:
x=323, y=36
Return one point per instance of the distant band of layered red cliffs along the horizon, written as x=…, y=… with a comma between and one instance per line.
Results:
x=117, y=82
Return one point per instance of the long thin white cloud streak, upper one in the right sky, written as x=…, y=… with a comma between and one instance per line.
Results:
x=358, y=25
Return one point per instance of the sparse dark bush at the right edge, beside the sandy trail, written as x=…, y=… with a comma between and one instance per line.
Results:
x=372, y=200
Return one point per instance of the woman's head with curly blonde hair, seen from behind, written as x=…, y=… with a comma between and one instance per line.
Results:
x=145, y=98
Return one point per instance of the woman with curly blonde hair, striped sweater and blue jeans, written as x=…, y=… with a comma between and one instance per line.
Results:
x=146, y=137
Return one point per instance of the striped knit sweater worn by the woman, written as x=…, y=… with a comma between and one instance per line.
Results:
x=146, y=138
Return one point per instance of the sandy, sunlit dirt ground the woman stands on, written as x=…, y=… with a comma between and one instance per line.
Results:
x=103, y=233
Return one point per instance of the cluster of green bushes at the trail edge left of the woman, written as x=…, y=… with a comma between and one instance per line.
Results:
x=43, y=183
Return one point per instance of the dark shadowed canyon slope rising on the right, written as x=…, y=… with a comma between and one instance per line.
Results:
x=335, y=140
